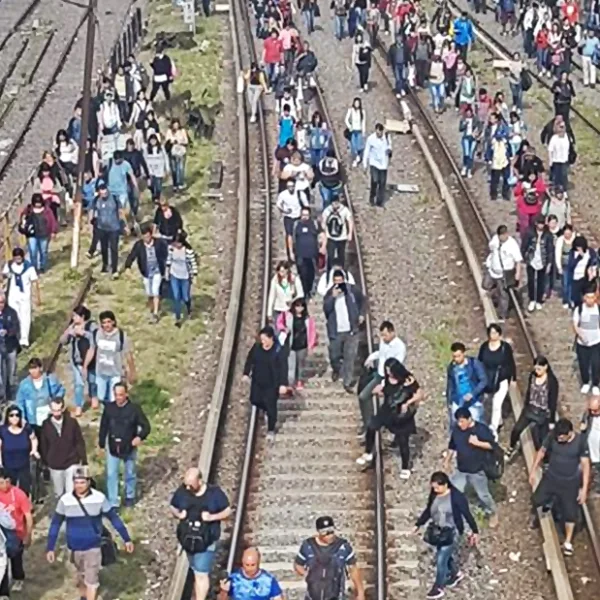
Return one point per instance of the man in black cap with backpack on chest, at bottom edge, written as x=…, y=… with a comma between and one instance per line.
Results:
x=323, y=560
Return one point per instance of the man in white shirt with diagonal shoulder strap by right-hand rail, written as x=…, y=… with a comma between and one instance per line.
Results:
x=503, y=268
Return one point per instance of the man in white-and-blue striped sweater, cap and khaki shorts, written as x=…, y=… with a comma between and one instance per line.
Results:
x=83, y=511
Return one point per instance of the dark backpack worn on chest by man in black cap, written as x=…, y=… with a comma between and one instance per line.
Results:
x=326, y=573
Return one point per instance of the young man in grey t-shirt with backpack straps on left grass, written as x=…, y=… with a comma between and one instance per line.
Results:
x=113, y=356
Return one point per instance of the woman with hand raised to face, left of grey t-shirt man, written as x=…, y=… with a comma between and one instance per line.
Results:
x=78, y=337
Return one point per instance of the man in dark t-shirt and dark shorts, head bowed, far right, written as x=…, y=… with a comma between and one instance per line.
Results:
x=568, y=469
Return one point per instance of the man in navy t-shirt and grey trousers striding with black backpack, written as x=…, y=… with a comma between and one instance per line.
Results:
x=470, y=442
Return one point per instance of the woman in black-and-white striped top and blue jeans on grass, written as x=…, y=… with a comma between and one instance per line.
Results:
x=182, y=267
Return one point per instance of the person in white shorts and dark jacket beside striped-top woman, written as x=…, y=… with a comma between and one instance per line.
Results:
x=151, y=255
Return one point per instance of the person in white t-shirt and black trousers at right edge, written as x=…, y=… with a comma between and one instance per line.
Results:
x=586, y=324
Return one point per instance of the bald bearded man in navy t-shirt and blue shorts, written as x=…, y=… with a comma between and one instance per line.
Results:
x=195, y=500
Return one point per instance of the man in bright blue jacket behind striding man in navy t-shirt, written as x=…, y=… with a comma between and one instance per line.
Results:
x=466, y=381
